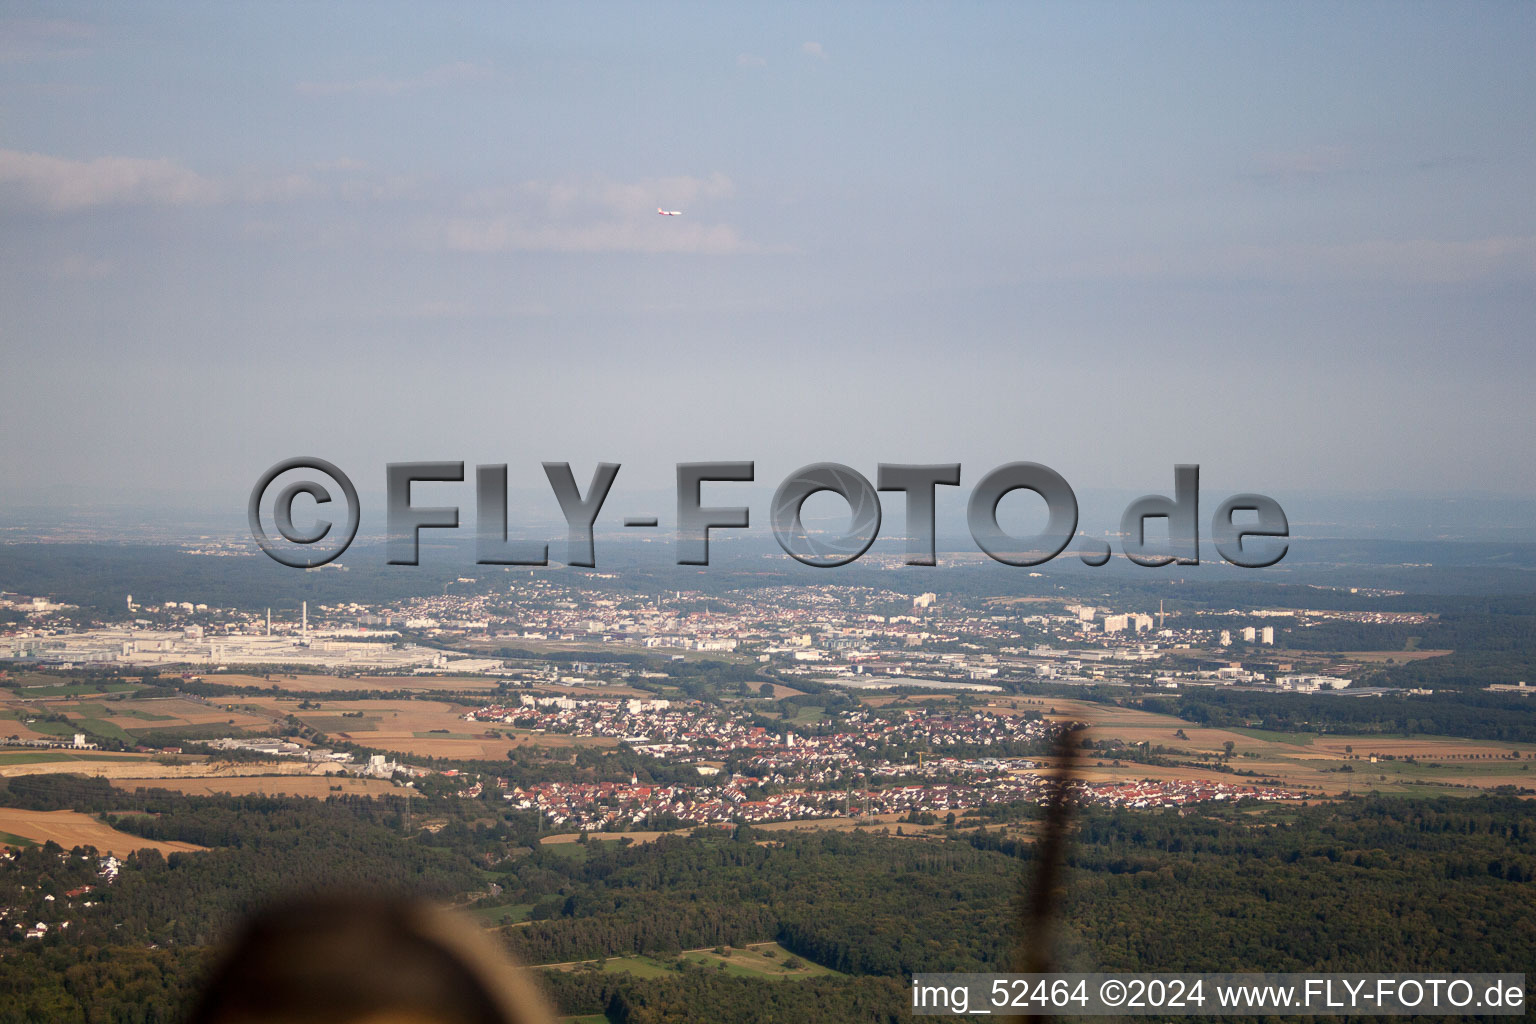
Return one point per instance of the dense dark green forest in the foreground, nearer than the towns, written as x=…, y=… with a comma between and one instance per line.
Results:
x=1357, y=885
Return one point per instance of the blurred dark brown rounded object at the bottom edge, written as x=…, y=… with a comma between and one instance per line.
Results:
x=366, y=962
